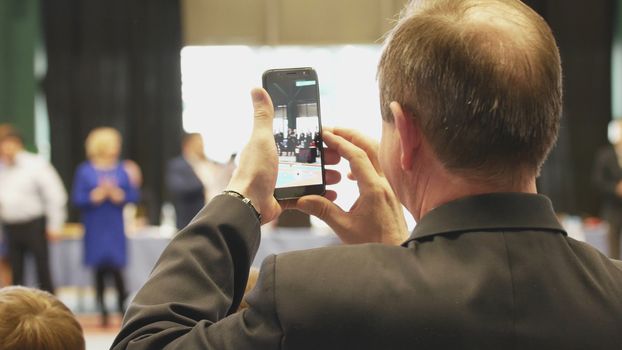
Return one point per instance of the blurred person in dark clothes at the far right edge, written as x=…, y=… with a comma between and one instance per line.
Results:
x=607, y=177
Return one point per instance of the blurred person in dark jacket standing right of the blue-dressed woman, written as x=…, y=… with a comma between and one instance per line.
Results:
x=192, y=178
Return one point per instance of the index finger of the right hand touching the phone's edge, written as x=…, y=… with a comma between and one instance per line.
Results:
x=360, y=164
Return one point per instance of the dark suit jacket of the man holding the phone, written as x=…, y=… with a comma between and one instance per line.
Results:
x=487, y=272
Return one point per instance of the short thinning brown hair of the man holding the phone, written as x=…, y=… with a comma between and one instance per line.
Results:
x=482, y=79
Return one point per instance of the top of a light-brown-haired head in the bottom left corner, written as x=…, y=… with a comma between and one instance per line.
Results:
x=34, y=319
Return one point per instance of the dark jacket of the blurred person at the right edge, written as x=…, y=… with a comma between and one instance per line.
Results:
x=606, y=176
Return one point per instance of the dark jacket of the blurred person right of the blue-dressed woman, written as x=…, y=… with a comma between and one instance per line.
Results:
x=186, y=190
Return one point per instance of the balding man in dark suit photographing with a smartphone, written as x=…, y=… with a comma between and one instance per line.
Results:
x=471, y=98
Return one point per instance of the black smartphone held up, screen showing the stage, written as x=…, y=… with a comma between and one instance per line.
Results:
x=297, y=130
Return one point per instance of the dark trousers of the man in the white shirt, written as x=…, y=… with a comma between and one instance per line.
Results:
x=29, y=237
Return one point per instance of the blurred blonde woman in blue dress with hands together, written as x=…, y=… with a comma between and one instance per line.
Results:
x=101, y=188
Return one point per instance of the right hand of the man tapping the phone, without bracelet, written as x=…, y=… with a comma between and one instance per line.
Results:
x=377, y=215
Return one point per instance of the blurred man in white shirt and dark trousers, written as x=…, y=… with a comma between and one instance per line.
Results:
x=32, y=207
